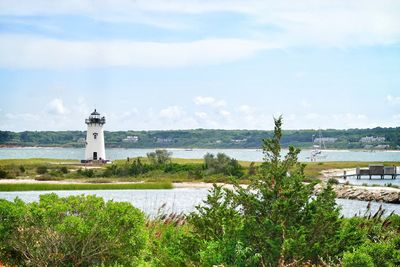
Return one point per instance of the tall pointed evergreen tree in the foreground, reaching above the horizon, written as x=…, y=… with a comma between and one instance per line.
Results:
x=274, y=221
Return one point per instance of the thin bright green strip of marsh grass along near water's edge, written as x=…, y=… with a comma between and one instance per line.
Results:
x=53, y=187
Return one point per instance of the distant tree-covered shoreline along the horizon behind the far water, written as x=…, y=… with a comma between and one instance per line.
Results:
x=203, y=138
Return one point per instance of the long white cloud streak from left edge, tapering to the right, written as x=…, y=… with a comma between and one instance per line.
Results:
x=25, y=51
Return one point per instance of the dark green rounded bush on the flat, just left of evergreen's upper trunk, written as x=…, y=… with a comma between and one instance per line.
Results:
x=222, y=164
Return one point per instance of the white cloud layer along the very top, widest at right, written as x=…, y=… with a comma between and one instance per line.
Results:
x=307, y=22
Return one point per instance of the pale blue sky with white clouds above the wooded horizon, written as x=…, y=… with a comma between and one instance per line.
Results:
x=188, y=64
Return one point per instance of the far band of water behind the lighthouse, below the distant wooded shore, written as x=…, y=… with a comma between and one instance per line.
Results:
x=240, y=154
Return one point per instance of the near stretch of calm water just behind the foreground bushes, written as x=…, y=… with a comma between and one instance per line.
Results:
x=182, y=200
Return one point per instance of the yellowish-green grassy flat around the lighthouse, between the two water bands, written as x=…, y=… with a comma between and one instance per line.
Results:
x=14, y=169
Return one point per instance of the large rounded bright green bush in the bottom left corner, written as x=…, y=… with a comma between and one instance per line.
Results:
x=72, y=231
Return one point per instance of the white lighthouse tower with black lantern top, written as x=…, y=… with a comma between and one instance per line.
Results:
x=95, y=149
